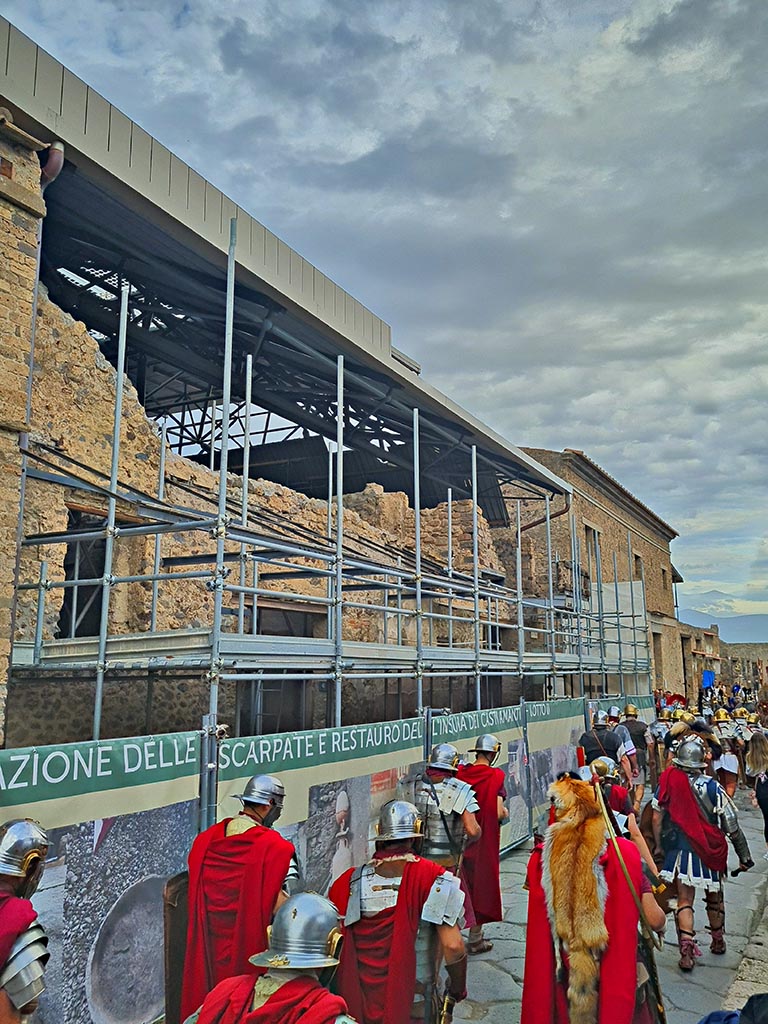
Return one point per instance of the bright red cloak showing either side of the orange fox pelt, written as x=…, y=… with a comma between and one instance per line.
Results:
x=544, y=998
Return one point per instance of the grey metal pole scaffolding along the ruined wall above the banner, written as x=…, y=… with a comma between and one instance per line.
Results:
x=432, y=621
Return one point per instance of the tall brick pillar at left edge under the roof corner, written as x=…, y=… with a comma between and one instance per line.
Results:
x=21, y=210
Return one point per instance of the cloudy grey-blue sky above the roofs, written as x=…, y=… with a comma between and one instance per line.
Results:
x=560, y=206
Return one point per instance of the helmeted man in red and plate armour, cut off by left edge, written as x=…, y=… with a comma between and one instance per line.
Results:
x=24, y=953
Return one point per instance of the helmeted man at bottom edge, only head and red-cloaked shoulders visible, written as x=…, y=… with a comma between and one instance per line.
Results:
x=304, y=950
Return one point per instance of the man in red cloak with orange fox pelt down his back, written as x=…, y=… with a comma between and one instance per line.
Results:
x=582, y=936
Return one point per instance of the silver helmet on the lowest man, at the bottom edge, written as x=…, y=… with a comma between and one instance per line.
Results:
x=305, y=934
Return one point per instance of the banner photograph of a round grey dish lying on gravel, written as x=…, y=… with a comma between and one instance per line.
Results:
x=101, y=902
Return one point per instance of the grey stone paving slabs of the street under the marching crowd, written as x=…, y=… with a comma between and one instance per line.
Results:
x=495, y=983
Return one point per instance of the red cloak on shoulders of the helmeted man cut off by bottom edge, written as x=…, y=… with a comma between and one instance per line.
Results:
x=302, y=1000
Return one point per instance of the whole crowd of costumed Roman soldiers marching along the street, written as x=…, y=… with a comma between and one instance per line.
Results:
x=388, y=945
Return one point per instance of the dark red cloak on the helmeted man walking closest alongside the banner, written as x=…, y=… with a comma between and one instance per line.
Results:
x=481, y=865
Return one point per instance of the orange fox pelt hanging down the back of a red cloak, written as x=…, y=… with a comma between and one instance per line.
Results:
x=576, y=890
